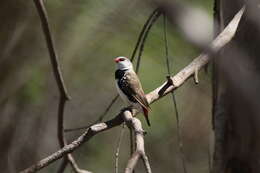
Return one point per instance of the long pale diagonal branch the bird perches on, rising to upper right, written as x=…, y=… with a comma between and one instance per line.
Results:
x=222, y=39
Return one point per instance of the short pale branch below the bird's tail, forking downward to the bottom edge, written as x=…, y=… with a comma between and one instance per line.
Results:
x=136, y=125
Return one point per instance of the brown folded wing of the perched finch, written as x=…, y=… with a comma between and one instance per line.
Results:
x=136, y=89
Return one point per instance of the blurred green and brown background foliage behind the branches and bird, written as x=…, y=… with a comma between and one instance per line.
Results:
x=88, y=35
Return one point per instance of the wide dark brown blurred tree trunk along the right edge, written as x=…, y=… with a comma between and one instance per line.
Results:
x=236, y=84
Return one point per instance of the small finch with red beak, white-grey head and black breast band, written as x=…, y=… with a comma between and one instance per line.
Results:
x=129, y=86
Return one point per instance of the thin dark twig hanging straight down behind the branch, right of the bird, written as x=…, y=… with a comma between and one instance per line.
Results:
x=179, y=139
